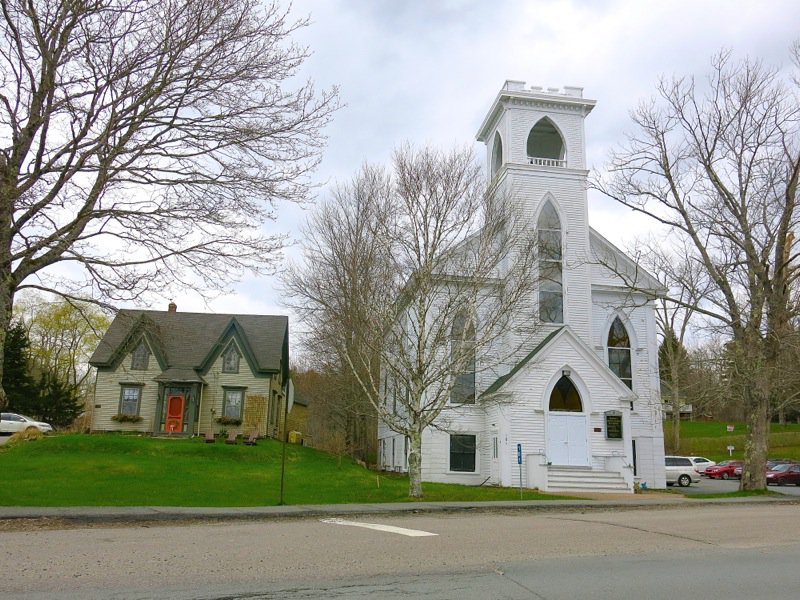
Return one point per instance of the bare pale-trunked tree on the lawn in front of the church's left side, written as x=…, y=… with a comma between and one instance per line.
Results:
x=415, y=276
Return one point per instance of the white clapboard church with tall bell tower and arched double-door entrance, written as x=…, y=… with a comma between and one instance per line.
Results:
x=579, y=408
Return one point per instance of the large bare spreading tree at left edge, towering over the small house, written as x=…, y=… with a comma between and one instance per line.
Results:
x=145, y=142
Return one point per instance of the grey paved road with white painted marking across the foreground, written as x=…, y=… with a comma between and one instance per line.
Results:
x=568, y=554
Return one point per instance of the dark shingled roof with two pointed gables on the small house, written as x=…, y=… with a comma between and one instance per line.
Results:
x=192, y=341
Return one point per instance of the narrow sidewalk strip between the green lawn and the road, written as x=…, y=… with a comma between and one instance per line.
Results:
x=178, y=513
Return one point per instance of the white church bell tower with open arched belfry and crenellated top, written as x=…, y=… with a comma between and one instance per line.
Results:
x=536, y=152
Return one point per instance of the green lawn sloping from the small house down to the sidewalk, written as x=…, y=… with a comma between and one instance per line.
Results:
x=128, y=470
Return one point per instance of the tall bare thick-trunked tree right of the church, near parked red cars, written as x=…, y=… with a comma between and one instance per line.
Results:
x=719, y=166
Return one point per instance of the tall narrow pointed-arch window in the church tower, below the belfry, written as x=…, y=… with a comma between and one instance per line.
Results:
x=551, y=287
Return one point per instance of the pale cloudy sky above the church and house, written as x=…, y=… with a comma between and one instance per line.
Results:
x=427, y=72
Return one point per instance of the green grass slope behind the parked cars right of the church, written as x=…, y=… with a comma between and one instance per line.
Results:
x=710, y=439
